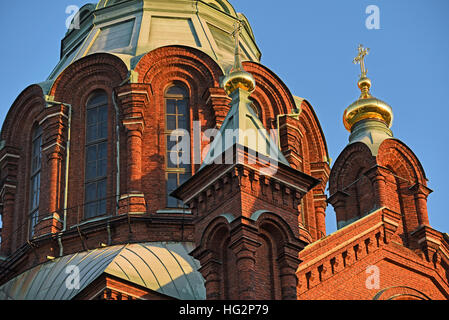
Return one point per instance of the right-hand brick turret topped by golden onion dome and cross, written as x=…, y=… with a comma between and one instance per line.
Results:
x=377, y=170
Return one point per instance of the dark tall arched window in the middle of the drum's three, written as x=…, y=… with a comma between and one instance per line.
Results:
x=96, y=155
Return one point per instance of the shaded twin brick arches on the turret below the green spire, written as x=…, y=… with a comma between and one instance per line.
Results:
x=274, y=249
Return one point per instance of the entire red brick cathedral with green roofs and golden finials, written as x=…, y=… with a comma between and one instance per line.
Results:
x=161, y=160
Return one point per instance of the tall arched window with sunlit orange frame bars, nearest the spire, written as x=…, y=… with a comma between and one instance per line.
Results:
x=178, y=170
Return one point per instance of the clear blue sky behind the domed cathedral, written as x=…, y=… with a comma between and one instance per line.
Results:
x=310, y=46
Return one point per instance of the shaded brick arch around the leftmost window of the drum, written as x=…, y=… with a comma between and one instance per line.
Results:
x=25, y=114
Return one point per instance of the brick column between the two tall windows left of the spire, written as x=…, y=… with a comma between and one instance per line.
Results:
x=134, y=100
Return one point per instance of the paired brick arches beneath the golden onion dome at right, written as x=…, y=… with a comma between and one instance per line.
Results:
x=361, y=183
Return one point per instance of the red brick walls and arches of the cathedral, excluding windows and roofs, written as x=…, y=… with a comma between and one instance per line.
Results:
x=255, y=237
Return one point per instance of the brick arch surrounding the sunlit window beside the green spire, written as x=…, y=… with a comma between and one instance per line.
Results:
x=155, y=72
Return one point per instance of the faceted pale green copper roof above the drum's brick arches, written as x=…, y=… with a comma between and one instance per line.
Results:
x=131, y=28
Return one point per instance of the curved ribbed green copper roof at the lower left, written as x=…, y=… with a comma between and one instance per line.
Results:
x=166, y=268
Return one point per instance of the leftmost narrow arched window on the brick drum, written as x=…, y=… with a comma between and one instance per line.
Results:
x=35, y=183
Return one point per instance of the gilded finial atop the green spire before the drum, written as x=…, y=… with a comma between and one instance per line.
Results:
x=238, y=77
